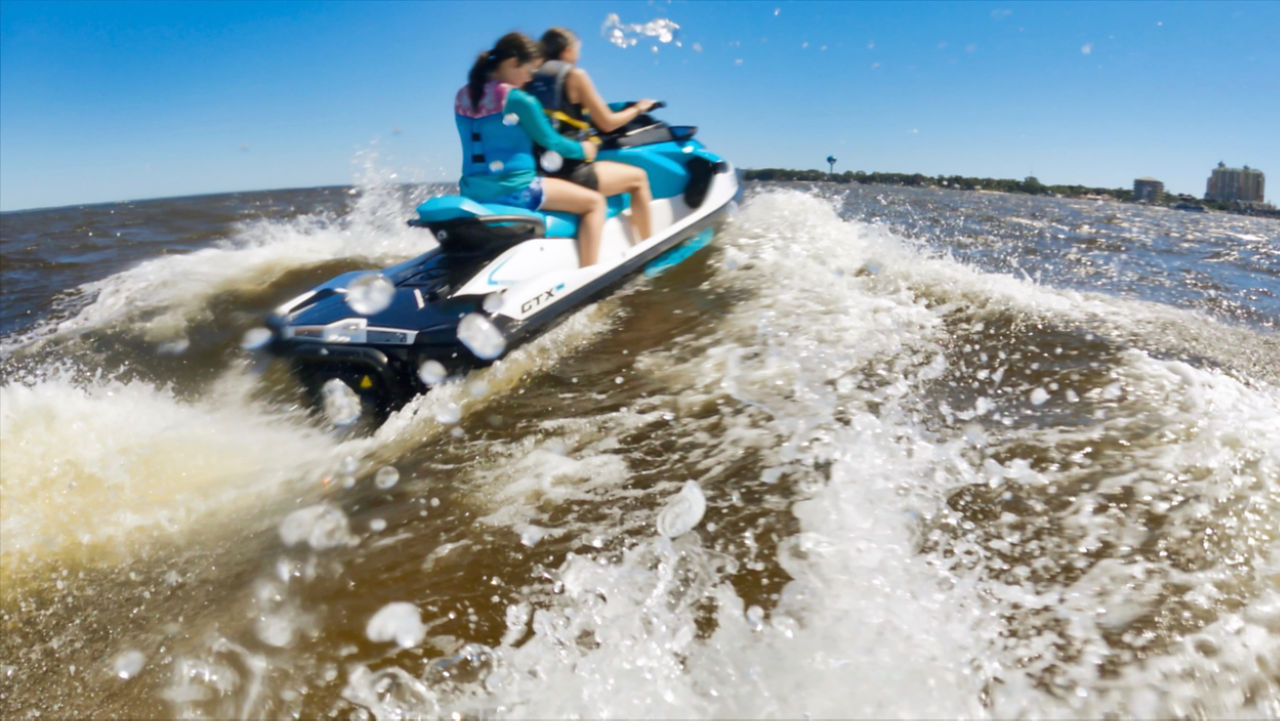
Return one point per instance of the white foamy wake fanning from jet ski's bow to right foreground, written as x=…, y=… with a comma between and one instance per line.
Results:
x=885, y=628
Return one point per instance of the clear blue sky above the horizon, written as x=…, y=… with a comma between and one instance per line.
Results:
x=108, y=102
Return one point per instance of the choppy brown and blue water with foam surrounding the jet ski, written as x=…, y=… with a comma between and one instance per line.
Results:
x=872, y=453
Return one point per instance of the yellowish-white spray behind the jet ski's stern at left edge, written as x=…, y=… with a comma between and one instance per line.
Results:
x=97, y=468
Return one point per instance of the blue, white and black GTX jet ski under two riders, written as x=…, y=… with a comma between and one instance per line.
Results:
x=499, y=276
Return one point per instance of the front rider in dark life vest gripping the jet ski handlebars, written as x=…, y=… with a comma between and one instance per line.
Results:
x=568, y=93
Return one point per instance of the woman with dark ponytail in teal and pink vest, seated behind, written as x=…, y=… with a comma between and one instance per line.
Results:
x=499, y=125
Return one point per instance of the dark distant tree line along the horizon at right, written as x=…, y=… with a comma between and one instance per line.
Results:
x=1030, y=185
